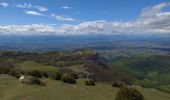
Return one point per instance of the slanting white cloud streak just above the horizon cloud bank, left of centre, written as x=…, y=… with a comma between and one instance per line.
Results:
x=62, y=18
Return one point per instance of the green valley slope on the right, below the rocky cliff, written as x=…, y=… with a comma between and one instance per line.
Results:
x=150, y=71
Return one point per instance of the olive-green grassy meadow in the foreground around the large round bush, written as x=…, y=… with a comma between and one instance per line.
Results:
x=56, y=90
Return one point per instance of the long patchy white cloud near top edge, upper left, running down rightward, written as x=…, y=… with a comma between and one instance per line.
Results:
x=29, y=6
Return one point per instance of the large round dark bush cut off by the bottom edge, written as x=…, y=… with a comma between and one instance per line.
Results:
x=128, y=94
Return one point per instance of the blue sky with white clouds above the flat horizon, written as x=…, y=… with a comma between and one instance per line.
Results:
x=84, y=17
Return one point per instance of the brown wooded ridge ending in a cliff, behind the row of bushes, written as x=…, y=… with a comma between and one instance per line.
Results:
x=80, y=62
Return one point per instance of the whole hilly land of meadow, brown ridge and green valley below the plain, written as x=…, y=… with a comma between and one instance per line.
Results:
x=55, y=69
